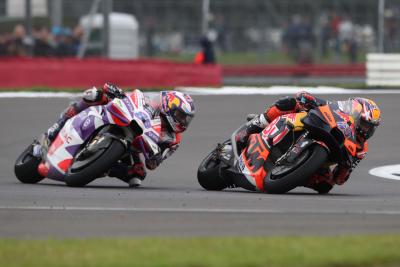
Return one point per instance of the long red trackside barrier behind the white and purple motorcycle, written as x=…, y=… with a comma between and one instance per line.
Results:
x=64, y=73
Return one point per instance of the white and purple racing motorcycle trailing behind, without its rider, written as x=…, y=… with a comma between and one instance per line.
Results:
x=92, y=142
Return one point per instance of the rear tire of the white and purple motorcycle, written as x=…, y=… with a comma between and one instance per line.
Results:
x=25, y=167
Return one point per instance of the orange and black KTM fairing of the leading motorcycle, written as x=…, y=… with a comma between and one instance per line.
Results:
x=256, y=160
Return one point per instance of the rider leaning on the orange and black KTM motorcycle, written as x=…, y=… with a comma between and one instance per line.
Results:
x=365, y=112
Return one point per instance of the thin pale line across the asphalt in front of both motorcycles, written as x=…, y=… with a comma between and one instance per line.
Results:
x=198, y=210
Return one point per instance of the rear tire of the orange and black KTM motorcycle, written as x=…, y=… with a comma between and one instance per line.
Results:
x=208, y=174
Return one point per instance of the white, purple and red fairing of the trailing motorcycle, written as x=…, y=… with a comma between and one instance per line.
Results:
x=80, y=128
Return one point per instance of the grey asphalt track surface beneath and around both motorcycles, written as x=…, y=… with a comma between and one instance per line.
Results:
x=171, y=203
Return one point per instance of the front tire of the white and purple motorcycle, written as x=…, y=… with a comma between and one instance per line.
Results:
x=84, y=171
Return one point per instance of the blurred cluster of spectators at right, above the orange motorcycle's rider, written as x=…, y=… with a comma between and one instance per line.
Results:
x=333, y=34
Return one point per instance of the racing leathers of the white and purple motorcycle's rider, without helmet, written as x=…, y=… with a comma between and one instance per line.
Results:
x=131, y=170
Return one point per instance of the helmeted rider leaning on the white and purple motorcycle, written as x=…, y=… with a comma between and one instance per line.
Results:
x=170, y=111
